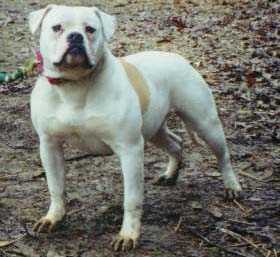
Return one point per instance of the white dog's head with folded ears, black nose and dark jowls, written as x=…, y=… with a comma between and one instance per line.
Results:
x=72, y=38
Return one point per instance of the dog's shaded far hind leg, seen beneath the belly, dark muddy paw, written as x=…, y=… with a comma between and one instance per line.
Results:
x=171, y=144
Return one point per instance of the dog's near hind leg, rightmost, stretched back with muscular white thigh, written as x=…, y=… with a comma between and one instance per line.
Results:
x=195, y=105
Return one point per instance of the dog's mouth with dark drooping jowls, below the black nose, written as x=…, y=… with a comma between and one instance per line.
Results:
x=74, y=57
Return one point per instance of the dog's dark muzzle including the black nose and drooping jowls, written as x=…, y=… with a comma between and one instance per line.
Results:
x=76, y=55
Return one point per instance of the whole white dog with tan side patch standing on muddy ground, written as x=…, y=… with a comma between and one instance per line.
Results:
x=106, y=104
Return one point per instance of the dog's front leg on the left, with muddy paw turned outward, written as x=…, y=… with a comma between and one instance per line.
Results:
x=53, y=162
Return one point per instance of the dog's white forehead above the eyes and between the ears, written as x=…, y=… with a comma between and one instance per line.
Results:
x=72, y=16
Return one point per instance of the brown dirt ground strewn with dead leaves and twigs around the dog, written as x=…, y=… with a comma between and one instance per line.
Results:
x=235, y=45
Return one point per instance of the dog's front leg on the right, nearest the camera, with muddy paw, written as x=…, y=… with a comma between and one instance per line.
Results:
x=131, y=157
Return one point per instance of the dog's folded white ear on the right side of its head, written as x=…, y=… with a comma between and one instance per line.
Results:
x=108, y=23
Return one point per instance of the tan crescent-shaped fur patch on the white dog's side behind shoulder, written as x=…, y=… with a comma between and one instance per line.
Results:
x=139, y=84
